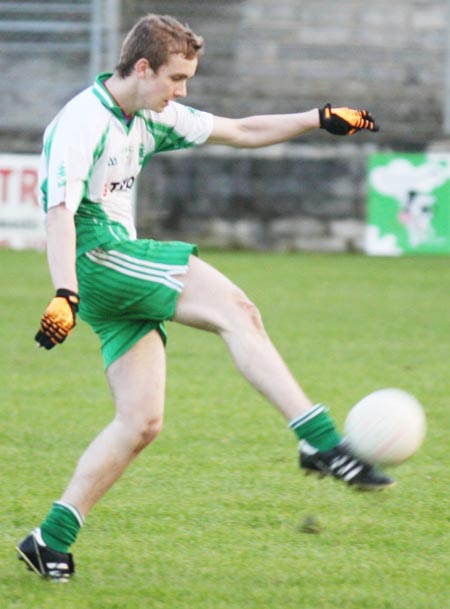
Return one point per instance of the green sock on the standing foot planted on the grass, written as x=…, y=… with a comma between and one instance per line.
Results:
x=60, y=529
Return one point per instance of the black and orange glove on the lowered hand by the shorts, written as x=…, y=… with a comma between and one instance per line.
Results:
x=58, y=319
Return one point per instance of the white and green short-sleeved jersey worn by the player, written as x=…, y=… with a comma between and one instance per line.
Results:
x=92, y=157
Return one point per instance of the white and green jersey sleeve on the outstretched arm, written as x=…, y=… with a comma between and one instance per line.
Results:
x=179, y=126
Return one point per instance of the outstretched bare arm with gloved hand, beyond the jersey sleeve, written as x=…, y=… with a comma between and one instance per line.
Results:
x=269, y=129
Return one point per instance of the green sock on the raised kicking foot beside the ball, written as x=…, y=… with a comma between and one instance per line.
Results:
x=317, y=428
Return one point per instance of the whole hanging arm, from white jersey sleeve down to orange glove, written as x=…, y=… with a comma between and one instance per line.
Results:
x=65, y=162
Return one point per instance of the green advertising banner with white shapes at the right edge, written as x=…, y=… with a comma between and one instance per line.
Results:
x=408, y=204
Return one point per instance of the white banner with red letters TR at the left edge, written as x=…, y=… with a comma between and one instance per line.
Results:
x=21, y=217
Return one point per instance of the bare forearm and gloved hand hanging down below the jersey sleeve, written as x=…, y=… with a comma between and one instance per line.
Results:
x=60, y=314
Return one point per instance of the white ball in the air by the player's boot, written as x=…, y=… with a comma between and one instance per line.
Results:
x=386, y=427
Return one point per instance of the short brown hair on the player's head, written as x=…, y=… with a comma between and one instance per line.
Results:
x=155, y=37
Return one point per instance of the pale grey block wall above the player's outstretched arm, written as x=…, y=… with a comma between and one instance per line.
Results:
x=265, y=56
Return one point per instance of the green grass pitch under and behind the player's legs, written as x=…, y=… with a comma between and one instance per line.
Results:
x=210, y=516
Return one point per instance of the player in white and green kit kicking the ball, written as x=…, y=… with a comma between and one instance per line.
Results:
x=127, y=288
